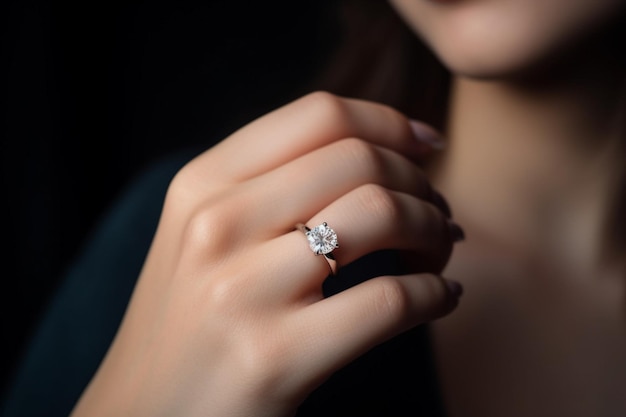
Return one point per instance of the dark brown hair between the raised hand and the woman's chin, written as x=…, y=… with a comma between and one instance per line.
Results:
x=379, y=58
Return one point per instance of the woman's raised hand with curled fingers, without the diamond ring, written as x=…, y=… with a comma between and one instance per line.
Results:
x=228, y=317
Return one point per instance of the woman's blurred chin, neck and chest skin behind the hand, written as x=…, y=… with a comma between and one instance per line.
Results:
x=533, y=170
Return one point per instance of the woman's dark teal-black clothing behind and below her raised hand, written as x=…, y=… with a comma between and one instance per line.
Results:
x=396, y=378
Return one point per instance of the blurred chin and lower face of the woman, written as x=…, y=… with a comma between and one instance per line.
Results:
x=494, y=38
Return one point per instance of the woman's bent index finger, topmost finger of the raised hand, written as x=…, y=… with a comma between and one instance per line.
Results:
x=303, y=126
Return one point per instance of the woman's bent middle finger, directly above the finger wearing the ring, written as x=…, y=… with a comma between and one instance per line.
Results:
x=300, y=189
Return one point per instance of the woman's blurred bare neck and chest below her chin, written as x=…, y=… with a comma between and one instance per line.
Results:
x=542, y=321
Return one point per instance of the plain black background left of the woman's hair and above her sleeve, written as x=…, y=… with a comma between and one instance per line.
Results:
x=92, y=93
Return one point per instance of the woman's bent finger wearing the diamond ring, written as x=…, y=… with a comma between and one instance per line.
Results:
x=368, y=219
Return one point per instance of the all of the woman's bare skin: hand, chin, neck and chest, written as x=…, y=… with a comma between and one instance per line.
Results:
x=228, y=318
